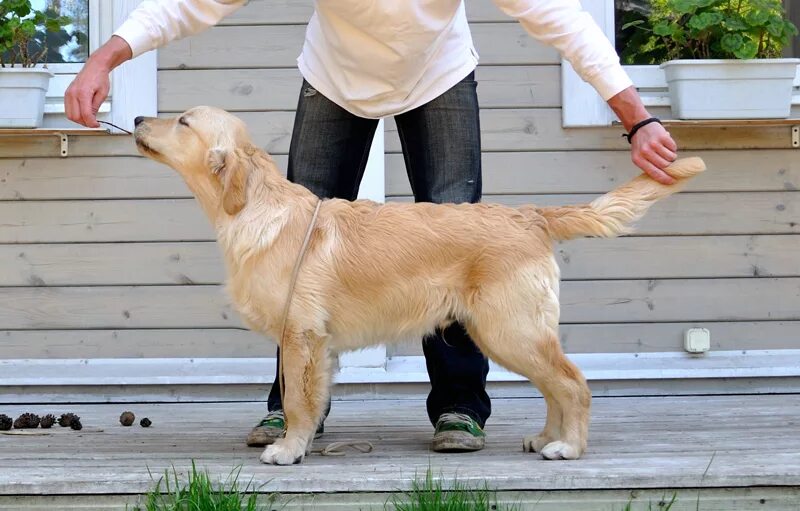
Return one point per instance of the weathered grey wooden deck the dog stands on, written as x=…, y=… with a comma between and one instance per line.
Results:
x=730, y=452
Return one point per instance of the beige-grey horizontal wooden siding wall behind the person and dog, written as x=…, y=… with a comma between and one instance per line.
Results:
x=105, y=254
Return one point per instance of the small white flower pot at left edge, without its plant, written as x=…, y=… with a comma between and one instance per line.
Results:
x=22, y=95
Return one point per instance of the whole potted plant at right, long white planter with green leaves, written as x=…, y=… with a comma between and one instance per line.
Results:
x=720, y=57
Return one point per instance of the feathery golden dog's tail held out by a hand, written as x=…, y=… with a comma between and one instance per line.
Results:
x=612, y=214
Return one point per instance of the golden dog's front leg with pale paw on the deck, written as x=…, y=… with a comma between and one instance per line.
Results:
x=306, y=373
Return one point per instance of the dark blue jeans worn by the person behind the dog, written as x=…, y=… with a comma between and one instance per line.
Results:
x=442, y=150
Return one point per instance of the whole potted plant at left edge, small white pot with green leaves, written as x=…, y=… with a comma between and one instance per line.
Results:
x=23, y=45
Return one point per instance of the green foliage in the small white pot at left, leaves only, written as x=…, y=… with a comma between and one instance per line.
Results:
x=23, y=32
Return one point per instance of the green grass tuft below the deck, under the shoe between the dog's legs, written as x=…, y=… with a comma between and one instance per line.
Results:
x=431, y=495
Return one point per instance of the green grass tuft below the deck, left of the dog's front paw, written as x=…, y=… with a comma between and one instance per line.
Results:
x=200, y=493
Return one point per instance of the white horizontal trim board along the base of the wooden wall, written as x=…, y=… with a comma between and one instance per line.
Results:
x=226, y=371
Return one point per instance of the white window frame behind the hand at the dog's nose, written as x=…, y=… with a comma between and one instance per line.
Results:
x=133, y=85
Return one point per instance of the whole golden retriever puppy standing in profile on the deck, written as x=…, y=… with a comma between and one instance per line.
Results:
x=376, y=273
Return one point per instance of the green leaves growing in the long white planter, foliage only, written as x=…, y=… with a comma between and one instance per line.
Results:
x=707, y=29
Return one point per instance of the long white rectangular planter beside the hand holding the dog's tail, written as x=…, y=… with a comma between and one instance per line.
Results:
x=731, y=89
